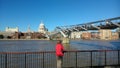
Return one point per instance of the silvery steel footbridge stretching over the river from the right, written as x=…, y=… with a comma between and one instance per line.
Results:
x=111, y=23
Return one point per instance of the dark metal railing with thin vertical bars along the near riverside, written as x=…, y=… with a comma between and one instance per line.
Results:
x=71, y=59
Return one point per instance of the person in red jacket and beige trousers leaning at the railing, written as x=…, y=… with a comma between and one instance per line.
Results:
x=59, y=53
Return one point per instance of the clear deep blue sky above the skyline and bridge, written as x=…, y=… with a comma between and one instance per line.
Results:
x=53, y=13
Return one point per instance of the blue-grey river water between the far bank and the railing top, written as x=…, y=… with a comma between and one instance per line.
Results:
x=45, y=45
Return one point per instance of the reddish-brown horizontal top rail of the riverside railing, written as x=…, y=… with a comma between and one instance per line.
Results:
x=54, y=51
